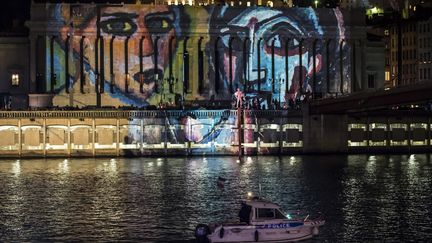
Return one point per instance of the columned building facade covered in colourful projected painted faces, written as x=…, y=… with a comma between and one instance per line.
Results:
x=139, y=55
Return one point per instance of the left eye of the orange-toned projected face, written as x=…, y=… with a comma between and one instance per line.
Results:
x=119, y=26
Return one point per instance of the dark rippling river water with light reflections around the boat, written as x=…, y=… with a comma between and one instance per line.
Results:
x=363, y=197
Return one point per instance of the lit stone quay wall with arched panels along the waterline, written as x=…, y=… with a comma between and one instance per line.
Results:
x=78, y=133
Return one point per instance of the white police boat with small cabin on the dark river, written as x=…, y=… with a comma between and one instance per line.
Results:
x=260, y=221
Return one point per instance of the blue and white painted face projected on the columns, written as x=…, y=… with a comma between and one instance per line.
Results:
x=268, y=30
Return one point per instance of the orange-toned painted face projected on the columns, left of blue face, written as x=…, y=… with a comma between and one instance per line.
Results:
x=150, y=26
